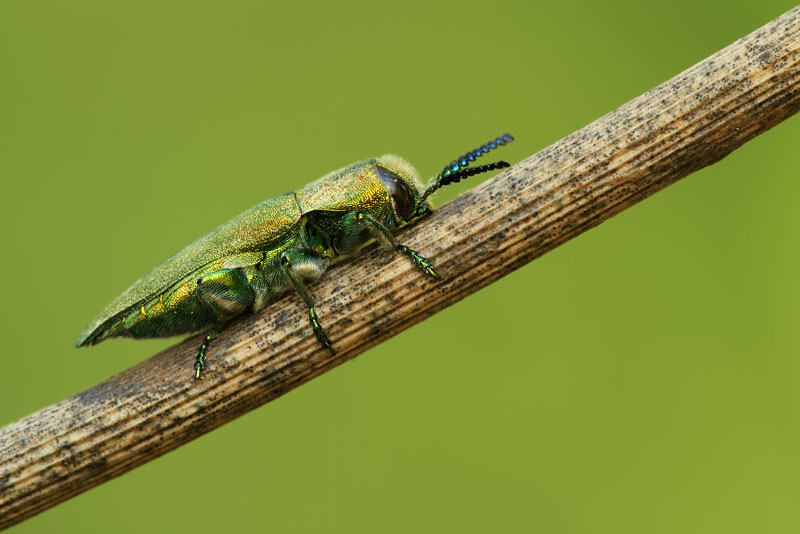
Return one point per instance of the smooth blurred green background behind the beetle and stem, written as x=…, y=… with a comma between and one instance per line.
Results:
x=651, y=385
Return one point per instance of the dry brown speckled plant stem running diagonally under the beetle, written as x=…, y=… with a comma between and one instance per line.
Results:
x=689, y=122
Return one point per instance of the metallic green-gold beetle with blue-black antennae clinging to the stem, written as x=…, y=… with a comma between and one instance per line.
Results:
x=277, y=246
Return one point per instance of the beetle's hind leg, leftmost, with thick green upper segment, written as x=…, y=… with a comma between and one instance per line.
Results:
x=226, y=293
